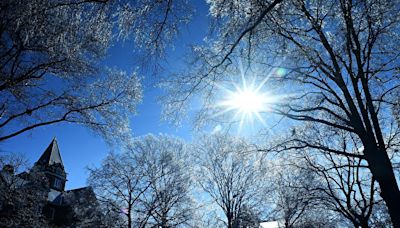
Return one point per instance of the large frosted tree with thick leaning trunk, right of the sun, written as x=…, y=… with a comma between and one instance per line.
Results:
x=341, y=59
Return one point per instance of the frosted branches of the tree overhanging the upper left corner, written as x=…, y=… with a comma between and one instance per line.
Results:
x=50, y=60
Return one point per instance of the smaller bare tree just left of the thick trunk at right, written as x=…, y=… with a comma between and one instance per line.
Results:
x=348, y=189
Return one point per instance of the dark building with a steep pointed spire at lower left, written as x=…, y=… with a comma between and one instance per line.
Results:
x=71, y=208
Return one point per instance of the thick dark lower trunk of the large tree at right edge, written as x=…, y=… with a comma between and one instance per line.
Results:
x=382, y=170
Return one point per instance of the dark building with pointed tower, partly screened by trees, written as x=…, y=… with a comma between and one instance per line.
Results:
x=44, y=187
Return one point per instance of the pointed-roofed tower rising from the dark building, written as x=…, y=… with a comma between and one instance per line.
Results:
x=51, y=165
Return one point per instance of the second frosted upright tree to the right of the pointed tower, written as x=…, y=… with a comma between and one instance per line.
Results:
x=164, y=161
